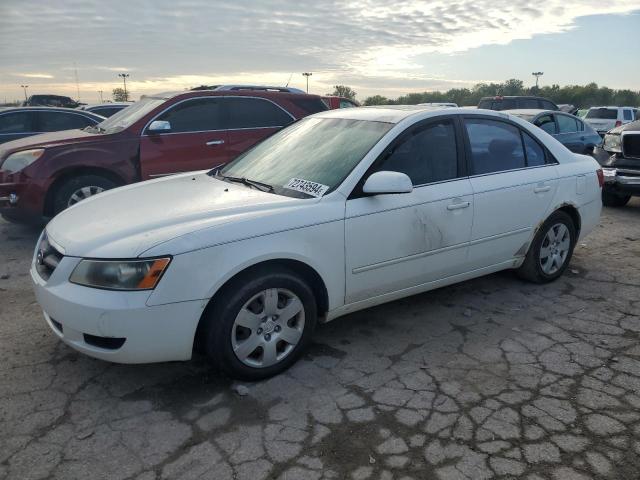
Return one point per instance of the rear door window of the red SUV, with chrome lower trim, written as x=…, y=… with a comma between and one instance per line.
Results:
x=255, y=113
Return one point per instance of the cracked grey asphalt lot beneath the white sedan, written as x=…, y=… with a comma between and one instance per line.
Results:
x=491, y=378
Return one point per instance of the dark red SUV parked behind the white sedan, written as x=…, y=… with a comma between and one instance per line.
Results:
x=159, y=135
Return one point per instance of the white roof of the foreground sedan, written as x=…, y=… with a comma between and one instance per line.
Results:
x=397, y=113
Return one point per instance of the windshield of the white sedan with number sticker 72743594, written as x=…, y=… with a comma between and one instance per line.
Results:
x=318, y=150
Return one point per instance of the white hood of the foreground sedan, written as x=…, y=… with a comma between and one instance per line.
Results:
x=173, y=212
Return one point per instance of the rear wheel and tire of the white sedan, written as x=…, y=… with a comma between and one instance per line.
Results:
x=539, y=268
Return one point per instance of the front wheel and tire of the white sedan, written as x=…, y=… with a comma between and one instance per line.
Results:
x=246, y=333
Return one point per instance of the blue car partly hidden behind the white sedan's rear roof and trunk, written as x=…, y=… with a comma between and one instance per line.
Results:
x=571, y=131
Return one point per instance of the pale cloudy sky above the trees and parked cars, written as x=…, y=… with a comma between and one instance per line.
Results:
x=374, y=46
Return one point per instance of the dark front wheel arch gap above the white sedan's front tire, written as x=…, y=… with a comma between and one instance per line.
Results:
x=306, y=271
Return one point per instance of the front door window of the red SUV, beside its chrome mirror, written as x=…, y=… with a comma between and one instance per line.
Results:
x=196, y=115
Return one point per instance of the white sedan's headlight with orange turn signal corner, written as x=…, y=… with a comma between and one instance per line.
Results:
x=120, y=274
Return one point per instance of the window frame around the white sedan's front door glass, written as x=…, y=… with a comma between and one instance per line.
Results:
x=461, y=158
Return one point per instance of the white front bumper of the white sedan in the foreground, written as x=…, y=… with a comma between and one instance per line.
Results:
x=115, y=326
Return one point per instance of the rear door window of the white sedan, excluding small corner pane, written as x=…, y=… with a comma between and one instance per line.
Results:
x=495, y=146
